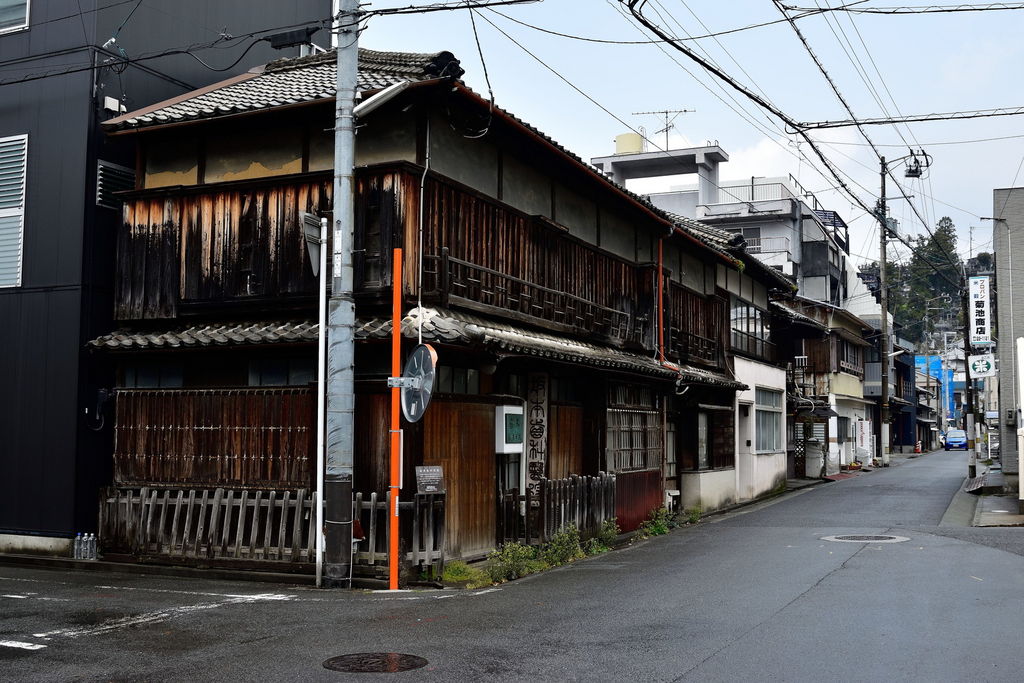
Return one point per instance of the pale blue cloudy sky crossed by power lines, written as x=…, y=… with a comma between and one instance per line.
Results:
x=883, y=66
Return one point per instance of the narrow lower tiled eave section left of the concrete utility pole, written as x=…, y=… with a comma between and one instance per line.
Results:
x=232, y=334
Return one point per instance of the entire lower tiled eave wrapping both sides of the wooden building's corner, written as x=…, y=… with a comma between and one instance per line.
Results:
x=440, y=326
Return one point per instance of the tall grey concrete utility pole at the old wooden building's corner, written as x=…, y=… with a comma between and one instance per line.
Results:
x=342, y=316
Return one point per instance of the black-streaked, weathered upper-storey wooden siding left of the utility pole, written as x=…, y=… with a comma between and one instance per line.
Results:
x=216, y=247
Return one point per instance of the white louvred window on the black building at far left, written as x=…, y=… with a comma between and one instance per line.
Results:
x=14, y=155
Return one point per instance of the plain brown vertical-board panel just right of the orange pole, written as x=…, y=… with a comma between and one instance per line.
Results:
x=460, y=438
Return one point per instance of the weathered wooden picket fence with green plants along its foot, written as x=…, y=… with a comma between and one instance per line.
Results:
x=586, y=502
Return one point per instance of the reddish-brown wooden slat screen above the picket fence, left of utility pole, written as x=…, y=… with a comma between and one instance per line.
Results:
x=245, y=438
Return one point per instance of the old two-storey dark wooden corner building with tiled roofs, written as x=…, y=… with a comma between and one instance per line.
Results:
x=543, y=285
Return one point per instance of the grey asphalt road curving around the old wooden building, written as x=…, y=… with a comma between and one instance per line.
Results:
x=752, y=595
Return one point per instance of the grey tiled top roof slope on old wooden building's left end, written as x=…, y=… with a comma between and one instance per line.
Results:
x=288, y=82
